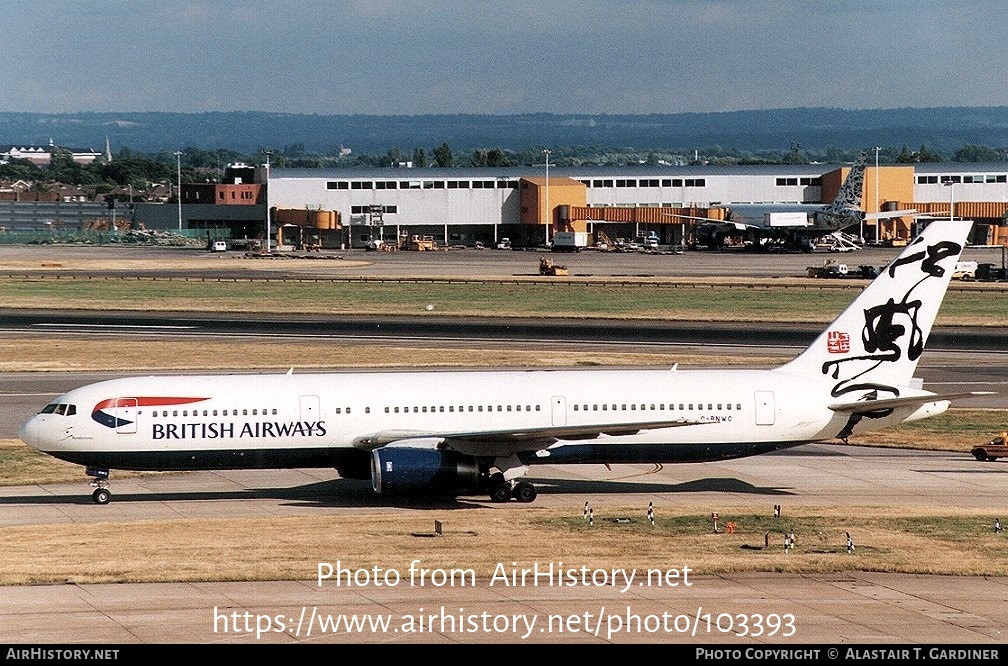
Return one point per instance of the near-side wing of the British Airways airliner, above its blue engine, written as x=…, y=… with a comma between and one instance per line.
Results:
x=502, y=443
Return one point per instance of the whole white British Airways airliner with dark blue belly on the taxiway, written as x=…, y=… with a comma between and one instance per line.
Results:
x=479, y=432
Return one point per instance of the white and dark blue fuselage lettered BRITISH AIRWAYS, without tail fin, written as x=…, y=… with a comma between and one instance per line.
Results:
x=292, y=421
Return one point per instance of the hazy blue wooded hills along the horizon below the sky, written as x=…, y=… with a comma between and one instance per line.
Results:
x=815, y=131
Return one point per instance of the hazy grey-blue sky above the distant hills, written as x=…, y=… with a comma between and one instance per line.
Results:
x=423, y=57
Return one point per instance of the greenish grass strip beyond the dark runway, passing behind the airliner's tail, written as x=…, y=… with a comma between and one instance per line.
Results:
x=677, y=301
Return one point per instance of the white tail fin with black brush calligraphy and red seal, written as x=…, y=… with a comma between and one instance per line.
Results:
x=875, y=344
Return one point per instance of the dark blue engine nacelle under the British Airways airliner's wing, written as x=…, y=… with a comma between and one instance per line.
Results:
x=406, y=471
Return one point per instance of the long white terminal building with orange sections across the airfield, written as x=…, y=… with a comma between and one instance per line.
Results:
x=463, y=207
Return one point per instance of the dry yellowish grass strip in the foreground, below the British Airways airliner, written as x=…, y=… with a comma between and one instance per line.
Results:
x=264, y=549
